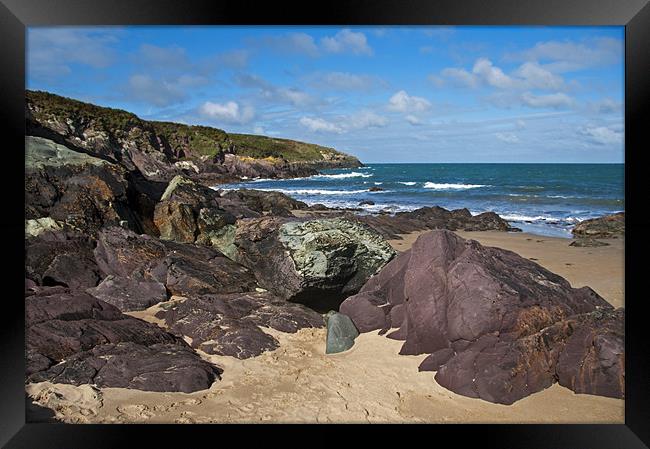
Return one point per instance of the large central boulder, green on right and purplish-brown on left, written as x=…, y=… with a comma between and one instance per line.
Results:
x=315, y=262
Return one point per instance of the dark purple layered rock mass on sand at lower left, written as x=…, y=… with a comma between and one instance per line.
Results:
x=75, y=338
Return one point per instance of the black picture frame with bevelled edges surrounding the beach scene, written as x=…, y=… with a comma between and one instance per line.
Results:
x=16, y=15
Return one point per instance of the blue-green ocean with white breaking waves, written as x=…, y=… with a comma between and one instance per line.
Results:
x=543, y=199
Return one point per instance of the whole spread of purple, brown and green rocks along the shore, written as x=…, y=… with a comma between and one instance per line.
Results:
x=105, y=236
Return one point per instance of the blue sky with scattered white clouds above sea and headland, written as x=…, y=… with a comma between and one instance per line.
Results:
x=384, y=94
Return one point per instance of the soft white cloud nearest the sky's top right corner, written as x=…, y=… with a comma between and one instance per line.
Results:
x=565, y=56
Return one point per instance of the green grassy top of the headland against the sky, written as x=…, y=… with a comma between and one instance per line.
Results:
x=186, y=141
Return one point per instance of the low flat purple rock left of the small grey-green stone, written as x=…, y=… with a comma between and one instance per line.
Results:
x=231, y=324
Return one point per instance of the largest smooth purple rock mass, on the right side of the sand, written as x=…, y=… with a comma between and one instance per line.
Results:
x=497, y=326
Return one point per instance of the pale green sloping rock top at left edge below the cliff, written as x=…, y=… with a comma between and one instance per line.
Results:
x=40, y=153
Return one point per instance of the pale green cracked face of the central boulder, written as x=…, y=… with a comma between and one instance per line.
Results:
x=333, y=248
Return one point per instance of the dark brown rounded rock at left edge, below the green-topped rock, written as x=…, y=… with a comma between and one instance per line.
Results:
x=61, y=258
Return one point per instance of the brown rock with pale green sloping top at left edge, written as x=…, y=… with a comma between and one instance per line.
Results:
x=73, y=188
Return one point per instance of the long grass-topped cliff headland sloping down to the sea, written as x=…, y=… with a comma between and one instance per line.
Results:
x=162, y=150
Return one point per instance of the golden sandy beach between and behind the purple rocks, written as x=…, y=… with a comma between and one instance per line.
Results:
x=369, y=383
